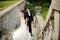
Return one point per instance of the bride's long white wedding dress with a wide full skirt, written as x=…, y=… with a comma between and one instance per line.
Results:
x=22, y=33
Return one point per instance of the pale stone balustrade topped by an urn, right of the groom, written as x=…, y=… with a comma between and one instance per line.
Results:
x=38, y=22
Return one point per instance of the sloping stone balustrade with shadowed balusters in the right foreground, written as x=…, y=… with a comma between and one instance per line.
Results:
x=47, y=30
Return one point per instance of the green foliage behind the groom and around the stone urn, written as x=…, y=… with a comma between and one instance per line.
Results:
x=44, y=9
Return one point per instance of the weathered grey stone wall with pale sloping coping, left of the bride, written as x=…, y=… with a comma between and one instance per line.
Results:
x=8, y=17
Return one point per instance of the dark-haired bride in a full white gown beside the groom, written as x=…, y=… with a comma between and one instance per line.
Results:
x=22, y=33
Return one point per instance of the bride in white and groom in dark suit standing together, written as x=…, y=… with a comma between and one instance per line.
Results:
x=24, y=32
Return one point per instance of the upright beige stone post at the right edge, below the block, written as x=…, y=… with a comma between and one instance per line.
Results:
x=56, y=25
